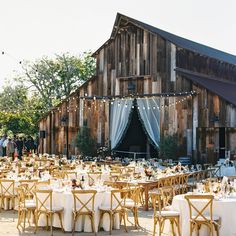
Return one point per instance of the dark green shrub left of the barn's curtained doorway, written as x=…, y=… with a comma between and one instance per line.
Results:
x=85, y=143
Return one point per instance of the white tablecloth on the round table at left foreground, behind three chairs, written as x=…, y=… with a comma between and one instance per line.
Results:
x=65, y=200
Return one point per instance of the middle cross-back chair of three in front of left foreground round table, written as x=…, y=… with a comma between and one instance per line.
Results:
x=84, y=205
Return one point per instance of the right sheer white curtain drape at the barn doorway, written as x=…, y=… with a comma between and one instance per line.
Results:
x=150, y=114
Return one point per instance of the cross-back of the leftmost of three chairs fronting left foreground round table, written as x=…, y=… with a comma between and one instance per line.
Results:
x=43, y=200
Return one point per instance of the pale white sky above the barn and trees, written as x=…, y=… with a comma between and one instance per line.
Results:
x=30, y=29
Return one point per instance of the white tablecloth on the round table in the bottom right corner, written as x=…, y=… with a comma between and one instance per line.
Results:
x=225, y=209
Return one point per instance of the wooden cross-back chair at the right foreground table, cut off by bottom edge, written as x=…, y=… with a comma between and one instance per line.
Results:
x=202, y=215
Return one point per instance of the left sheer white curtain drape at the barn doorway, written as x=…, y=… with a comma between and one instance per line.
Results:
x=120, y=111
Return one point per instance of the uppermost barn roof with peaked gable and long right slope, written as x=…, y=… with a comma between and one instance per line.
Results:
x=177, y=40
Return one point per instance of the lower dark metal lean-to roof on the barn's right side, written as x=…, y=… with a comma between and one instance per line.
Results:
x=223, y=88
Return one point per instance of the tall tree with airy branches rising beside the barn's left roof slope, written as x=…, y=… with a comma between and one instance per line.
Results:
x=55, y=79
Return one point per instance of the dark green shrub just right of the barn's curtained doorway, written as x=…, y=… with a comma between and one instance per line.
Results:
x=168, y=147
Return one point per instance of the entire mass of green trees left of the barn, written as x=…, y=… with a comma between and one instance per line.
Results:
x=42, y=85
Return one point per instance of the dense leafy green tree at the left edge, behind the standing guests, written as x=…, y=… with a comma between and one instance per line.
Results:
x=19, y=111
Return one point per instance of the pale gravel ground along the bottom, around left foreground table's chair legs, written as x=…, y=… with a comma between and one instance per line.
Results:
x=8, y=221
